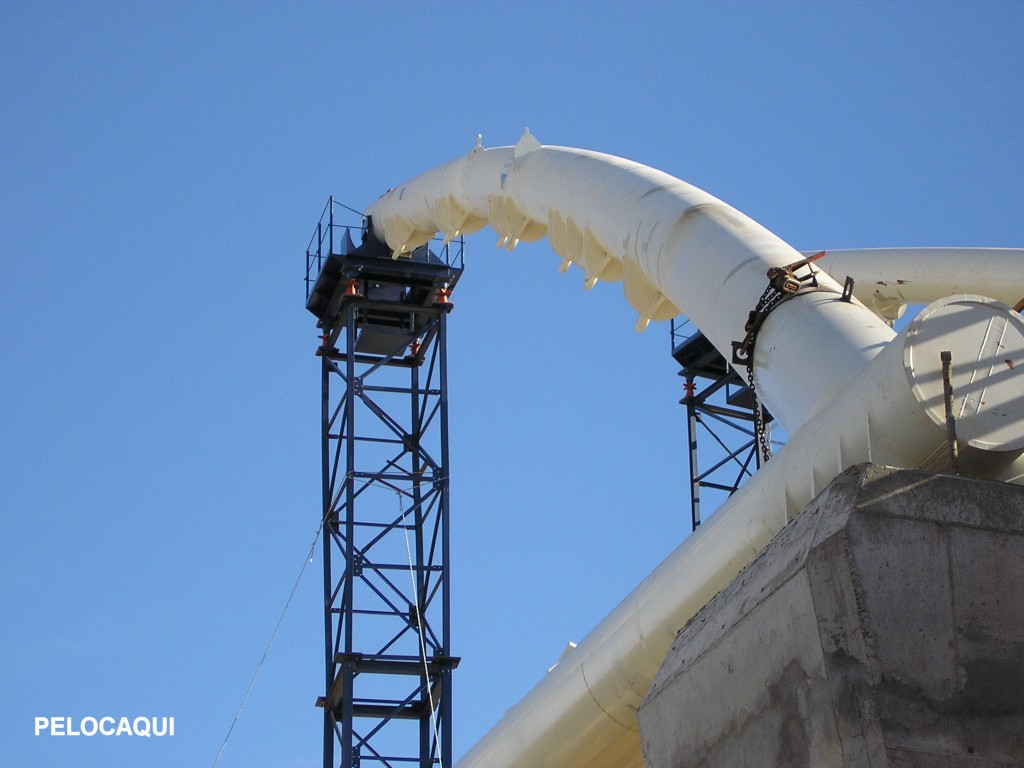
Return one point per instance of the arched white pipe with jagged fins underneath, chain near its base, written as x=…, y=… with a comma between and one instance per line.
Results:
x=674, y=246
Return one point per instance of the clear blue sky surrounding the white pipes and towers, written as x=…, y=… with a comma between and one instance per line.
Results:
x=163, y=166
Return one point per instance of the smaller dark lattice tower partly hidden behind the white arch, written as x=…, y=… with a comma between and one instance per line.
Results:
x=719, y=421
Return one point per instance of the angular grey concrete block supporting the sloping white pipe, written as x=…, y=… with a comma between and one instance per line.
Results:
x=884, y=627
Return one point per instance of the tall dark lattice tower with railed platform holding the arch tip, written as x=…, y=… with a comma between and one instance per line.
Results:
x=388, y=696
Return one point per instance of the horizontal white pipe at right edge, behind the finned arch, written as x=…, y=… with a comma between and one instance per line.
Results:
x=889, y=279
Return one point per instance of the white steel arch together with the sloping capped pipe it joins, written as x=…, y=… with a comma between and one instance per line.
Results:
x=822, y=362
